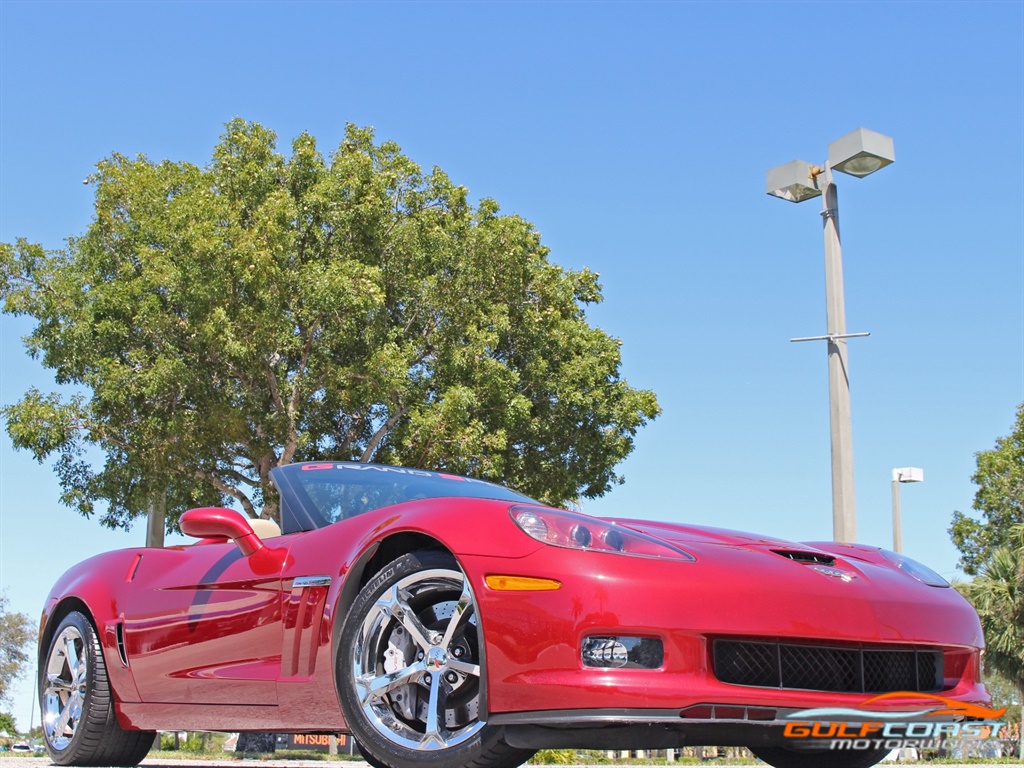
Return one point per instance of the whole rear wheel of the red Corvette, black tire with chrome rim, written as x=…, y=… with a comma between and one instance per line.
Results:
x=79, y=724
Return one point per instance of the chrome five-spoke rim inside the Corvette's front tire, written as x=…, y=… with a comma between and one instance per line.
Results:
x=415, y=662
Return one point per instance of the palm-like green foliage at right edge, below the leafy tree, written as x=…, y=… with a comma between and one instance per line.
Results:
x=998, y=595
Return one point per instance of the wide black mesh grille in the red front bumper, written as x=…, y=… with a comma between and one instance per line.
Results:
x=827, y=668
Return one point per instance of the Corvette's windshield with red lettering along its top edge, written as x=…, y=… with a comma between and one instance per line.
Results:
x=317, y=495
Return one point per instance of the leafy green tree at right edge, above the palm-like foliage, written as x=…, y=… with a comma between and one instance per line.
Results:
x=1000, y=499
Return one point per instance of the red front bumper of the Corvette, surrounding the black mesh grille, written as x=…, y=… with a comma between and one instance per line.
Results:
x=533, y=641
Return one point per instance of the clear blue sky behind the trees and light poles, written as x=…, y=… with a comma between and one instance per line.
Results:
x=636, y=138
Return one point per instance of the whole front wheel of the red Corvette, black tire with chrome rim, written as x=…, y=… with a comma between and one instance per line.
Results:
x=409, y=671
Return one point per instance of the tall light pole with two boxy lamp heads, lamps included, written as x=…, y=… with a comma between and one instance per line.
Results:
x=859, y=154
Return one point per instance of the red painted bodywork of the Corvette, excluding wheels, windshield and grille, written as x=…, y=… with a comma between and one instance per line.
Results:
x=216, y=641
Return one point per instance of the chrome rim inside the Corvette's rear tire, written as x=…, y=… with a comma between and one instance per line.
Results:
x=67, y=678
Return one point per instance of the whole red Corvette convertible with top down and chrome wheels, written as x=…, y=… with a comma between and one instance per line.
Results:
x=447, y=622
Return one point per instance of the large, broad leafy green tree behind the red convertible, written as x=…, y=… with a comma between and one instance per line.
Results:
x=219, y=322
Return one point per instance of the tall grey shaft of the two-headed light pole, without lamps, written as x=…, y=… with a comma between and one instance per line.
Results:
x=840, y=420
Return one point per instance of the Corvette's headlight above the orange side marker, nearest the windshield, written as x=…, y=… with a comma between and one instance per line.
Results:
x=573, y=531
